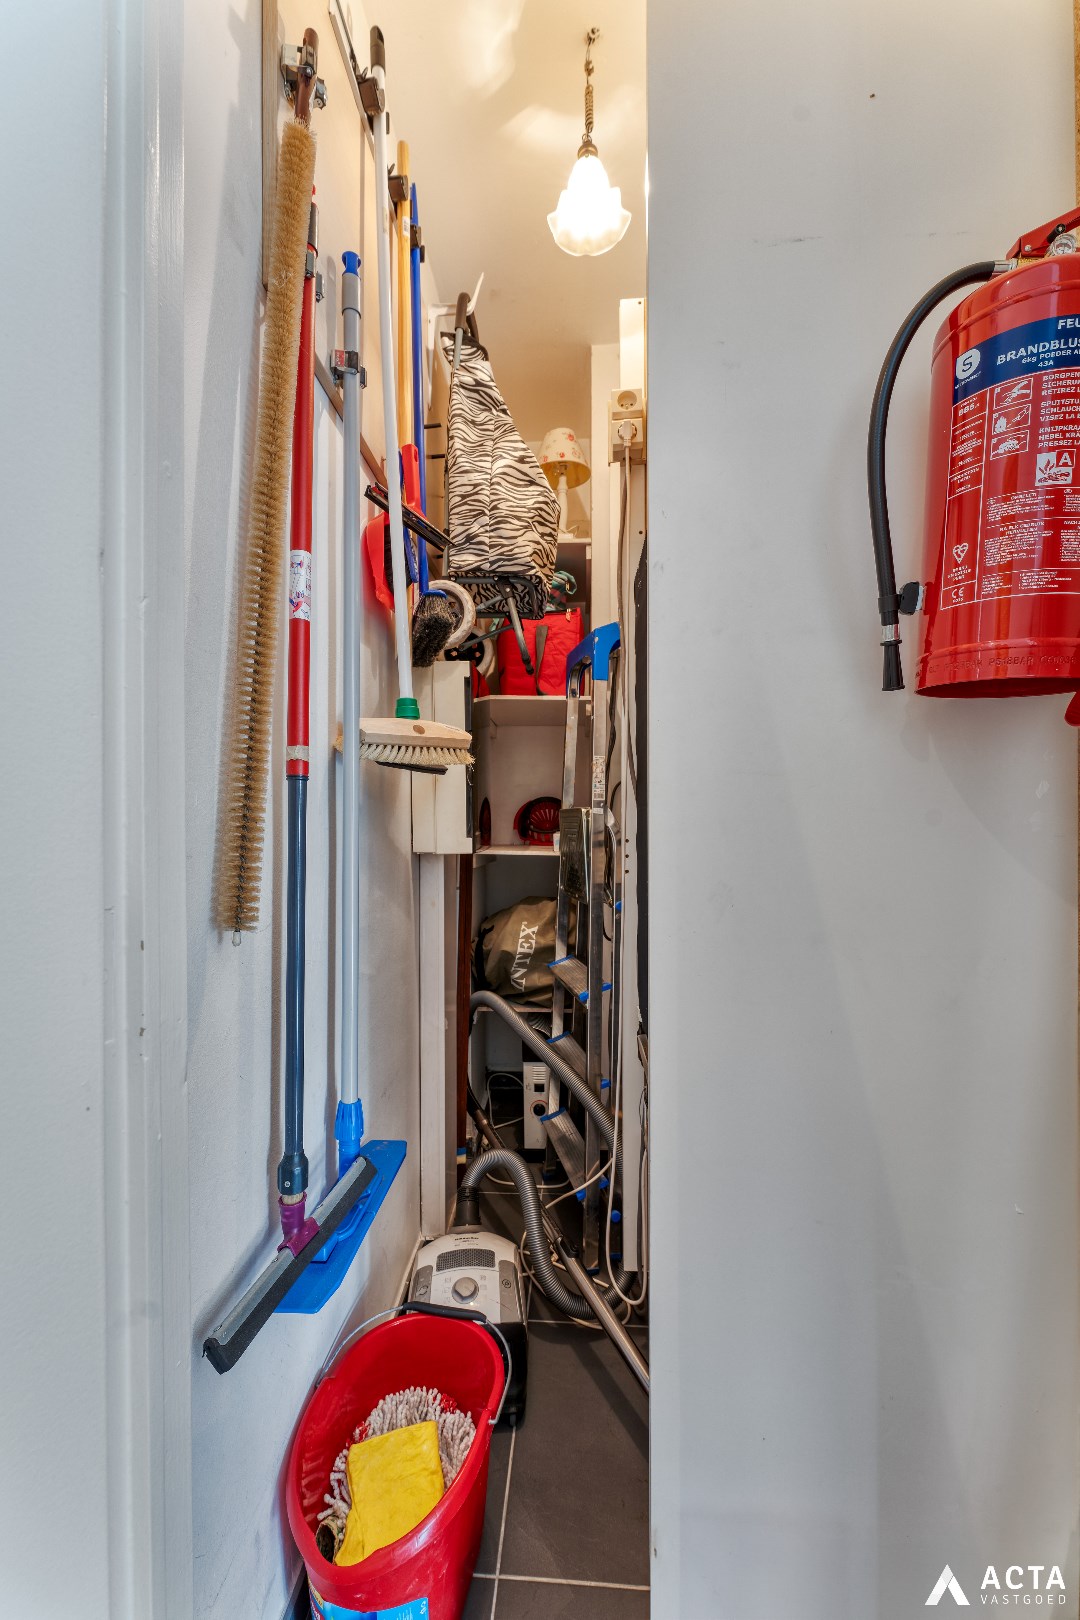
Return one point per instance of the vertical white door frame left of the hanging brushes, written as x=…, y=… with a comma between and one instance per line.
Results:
x=143, y=728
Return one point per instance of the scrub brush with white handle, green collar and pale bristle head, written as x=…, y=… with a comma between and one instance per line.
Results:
x=404, y=741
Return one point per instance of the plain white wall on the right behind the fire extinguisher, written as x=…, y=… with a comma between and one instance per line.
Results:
x=862, y=906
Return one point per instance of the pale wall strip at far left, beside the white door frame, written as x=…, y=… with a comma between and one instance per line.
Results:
x=53, y=952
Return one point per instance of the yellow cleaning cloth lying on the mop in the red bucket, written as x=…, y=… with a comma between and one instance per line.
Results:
x=394, y=1481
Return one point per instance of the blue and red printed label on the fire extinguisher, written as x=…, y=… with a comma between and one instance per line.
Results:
x=1013, y=516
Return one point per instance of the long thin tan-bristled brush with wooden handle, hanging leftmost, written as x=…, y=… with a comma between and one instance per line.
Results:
x=245, y=790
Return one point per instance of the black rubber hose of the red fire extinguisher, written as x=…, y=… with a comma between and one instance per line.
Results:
x=888, y=597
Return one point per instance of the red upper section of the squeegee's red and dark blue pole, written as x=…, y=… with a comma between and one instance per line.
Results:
x=297, y=730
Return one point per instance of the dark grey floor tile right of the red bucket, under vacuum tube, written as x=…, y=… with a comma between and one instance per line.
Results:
x=579, y=1493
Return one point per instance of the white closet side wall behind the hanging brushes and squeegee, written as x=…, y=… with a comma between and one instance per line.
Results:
x=244, y=1423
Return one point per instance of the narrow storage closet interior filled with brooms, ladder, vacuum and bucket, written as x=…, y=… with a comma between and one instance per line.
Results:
x=466, y=599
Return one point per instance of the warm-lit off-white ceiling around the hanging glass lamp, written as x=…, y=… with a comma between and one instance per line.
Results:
x=491, y=100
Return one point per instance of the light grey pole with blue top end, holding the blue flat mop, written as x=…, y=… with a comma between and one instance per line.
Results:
x=349, y=1078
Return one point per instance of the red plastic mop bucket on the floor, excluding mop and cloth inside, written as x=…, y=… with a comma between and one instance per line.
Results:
x=427, y=1574
